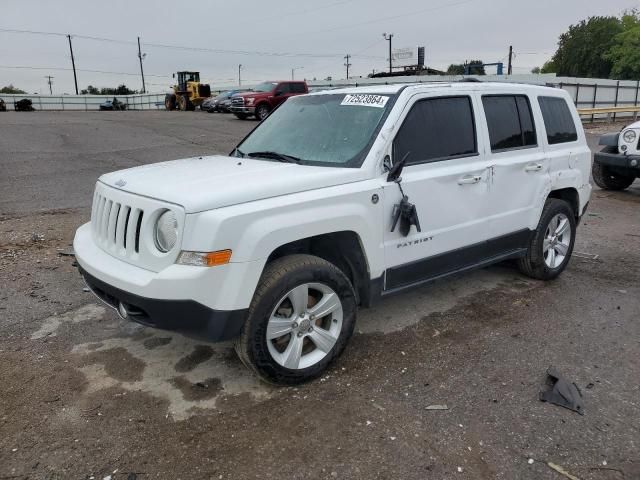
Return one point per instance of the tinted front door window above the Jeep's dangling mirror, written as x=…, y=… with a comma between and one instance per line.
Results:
x=437, y=129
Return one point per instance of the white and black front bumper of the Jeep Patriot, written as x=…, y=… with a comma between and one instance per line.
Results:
x=205, y=302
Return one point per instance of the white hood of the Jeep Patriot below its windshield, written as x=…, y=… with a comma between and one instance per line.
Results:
x=205, y=183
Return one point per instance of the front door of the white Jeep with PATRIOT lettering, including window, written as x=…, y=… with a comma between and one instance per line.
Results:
x=447, y=177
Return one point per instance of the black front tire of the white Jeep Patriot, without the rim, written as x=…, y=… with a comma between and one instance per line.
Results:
x=278, y=278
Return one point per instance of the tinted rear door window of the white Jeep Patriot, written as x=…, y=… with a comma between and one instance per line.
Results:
x=510, y=122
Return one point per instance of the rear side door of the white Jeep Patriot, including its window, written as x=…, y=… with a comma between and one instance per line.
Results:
x=519, y=167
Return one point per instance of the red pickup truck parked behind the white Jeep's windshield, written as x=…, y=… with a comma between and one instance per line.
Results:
x=265, y=97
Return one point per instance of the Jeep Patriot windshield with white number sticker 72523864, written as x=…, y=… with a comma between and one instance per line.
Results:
x=320, y=129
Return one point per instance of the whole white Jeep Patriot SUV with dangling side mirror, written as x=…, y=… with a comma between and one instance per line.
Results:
x=337, y=199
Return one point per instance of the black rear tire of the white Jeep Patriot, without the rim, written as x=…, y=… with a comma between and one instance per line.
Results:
x=533, y=263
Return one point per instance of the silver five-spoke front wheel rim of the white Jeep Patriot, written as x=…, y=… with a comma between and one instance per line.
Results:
x=304, y=326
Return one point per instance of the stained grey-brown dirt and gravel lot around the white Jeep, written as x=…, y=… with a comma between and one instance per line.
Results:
x=85, y=395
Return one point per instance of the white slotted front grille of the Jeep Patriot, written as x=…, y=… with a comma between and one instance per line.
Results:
x=116, y=226
